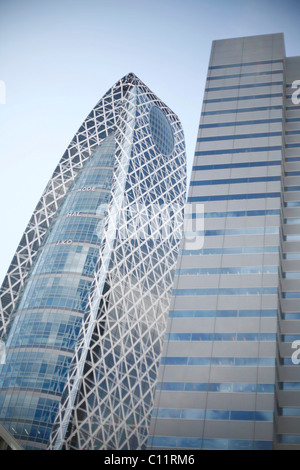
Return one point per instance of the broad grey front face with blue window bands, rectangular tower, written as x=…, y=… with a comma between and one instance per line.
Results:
x=221, y=339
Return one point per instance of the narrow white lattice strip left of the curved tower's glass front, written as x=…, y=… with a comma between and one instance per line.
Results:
x=95, y=128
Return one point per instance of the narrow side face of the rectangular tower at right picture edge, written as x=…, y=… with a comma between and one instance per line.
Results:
x=288, y=372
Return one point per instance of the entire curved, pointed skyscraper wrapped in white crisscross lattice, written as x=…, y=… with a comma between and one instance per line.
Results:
x=85, y=301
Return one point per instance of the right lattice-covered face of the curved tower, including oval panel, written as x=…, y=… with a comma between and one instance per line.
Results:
x=126, y=340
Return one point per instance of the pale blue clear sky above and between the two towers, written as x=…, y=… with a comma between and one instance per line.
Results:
x=59, y=57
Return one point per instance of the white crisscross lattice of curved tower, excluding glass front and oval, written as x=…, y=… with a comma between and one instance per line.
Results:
x=107, y=401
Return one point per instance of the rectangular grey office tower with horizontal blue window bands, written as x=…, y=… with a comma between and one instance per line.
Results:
x=230, y=372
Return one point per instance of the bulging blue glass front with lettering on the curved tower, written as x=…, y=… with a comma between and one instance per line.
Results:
x=51, y=308
